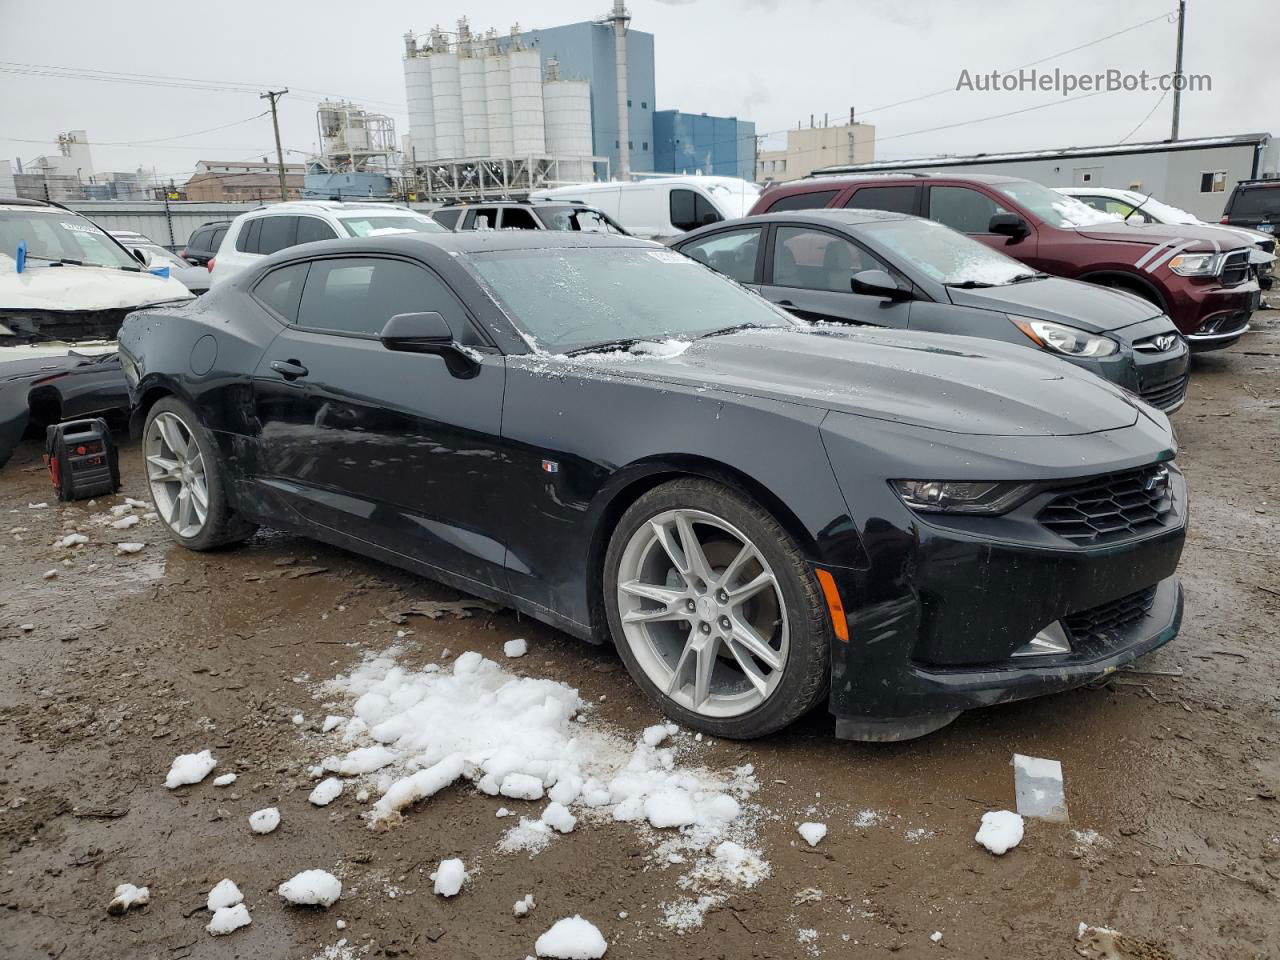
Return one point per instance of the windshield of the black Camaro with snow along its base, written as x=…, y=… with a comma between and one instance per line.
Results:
x=566, y=300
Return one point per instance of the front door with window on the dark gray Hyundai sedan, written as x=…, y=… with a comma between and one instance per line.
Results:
x=808, y=273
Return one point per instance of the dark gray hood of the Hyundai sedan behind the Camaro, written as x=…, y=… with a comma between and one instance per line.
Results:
x=1081, y=305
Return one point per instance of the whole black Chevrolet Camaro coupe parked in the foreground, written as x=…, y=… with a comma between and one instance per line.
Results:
x=611, y=438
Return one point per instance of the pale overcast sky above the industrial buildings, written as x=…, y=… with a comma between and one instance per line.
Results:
x=765, y=61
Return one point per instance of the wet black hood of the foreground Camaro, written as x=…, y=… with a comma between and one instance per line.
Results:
x=959, y=385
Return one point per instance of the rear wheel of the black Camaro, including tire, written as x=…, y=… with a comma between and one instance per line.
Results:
x=188, y=479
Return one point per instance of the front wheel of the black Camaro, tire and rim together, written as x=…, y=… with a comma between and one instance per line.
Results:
x=715, y=611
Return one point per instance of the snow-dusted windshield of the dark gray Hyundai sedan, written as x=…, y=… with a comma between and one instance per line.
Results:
x=947, y=255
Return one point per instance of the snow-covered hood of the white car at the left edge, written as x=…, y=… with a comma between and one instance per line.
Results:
x=42, y=287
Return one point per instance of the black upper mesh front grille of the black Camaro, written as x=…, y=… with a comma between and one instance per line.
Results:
x=1113, y=508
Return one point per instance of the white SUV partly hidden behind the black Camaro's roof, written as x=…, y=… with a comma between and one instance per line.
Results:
x=268, y=230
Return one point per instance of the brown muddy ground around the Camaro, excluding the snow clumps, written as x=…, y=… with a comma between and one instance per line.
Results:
x=134, y=660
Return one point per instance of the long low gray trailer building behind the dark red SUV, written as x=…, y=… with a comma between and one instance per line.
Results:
x=1196, y=175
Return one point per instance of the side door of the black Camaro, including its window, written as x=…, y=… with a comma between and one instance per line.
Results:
x=387, y=447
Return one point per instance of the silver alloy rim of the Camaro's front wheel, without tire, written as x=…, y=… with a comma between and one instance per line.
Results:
x=703, y=614
